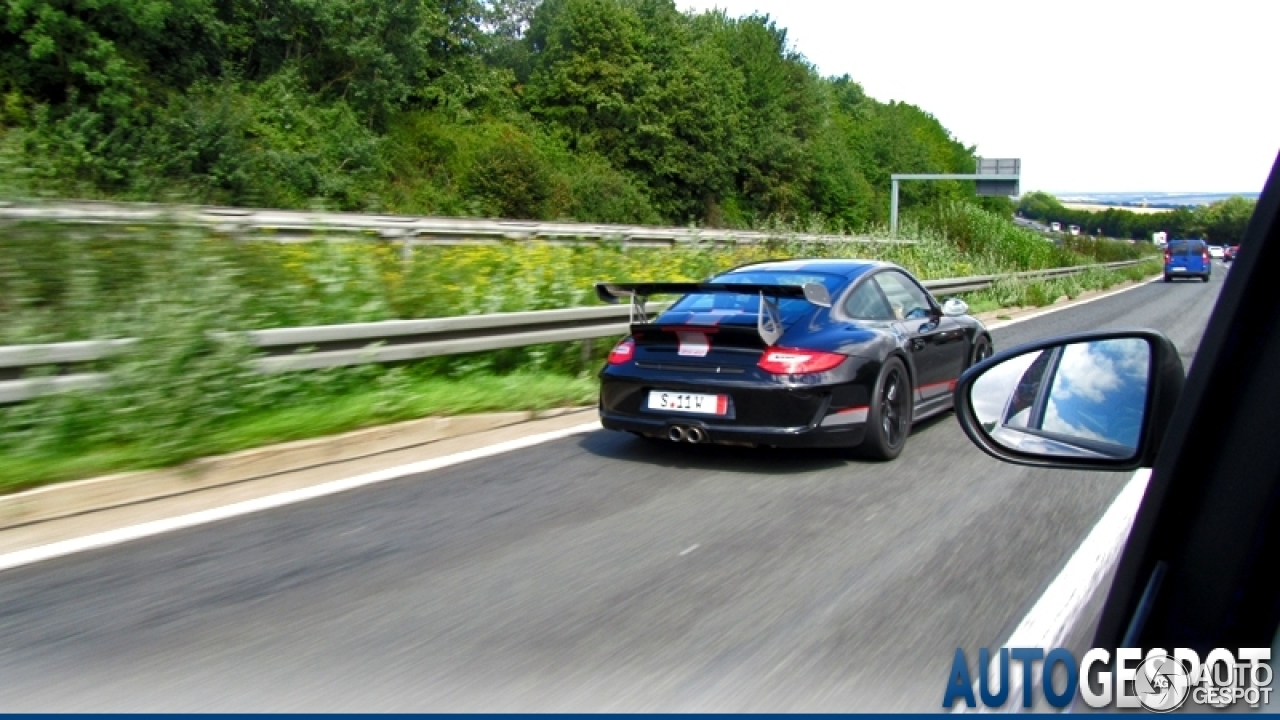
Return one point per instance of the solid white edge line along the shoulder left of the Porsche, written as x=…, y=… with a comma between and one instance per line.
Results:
x=29, y=557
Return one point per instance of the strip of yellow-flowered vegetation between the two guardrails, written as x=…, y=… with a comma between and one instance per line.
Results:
x=60, y=284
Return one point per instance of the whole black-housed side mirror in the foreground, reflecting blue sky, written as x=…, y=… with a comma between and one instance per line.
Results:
x=1098, y=400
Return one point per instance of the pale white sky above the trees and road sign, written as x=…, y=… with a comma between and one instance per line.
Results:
x=1095, y=97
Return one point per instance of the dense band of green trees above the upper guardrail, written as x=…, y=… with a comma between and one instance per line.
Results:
x=625, y=111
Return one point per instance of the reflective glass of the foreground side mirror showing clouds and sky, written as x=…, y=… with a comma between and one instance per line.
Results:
x=1080, y=400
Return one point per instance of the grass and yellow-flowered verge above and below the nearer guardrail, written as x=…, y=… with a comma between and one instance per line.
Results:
x=180, y=395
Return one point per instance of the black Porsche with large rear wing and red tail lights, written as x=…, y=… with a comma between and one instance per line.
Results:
x=785, y=354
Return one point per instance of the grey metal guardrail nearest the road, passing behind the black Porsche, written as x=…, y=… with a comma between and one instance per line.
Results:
x=391, y=341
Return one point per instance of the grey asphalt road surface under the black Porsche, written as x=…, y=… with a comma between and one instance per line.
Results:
x=595, y=573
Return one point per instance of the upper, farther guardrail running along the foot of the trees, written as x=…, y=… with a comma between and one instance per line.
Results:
x=301, y=226
